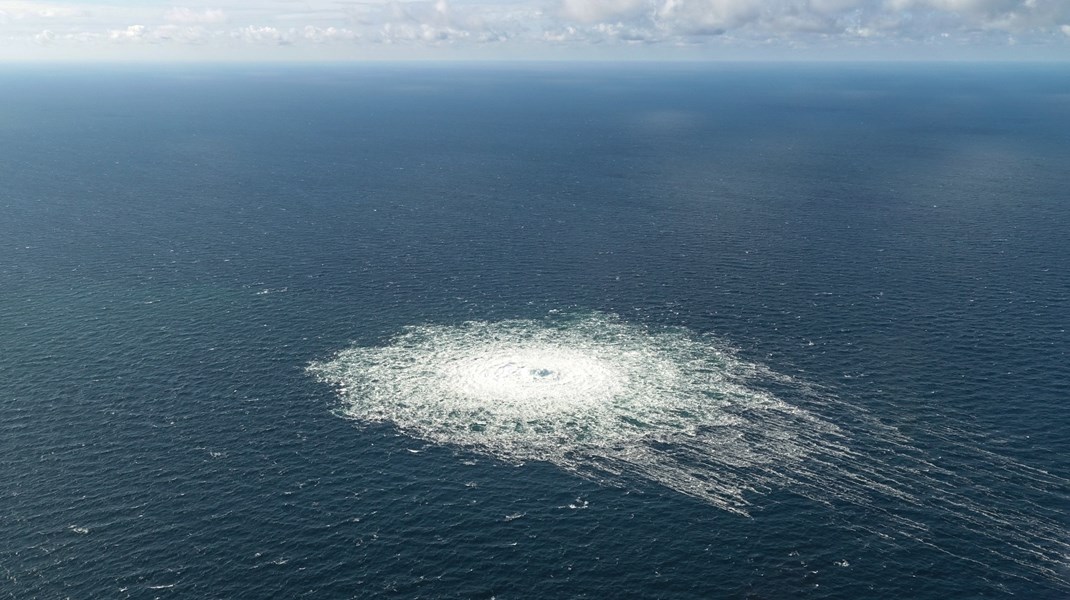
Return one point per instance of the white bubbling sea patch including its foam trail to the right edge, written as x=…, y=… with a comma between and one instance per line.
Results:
x=621, y=404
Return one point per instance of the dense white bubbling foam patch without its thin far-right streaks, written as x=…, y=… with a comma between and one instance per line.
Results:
x=593, y=395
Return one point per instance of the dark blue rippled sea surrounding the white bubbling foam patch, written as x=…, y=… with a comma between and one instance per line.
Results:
x=177, y=247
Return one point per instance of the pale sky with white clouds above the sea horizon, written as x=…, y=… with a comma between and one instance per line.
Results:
x=705, y=30
